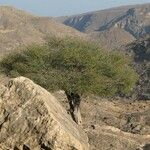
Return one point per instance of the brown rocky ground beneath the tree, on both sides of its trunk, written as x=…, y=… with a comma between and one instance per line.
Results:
x=114, y=124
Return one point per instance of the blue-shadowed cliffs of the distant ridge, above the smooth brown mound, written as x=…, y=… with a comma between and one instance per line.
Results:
x=133, y=19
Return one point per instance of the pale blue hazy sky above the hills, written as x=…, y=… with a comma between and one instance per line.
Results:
x=66, y=7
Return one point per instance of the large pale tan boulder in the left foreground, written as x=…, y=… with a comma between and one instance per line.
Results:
x=32, y=119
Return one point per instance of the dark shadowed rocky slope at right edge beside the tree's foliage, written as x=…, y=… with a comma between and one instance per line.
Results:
x=140, y=51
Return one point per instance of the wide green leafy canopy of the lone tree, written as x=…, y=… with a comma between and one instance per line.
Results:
x=73, y=66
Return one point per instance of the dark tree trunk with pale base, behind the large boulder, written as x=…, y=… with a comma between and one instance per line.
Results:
x=74, y=102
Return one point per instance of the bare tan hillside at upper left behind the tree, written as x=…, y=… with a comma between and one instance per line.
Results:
x=18, y=28
